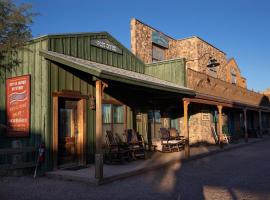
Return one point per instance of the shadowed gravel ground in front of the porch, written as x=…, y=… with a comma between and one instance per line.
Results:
x=241, y=173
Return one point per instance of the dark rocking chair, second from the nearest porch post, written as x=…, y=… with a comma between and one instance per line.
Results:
x=136, y=143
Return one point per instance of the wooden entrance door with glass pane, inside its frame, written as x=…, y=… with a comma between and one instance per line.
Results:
x=68, y=131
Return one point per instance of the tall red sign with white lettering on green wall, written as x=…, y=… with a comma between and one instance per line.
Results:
x=18, y=106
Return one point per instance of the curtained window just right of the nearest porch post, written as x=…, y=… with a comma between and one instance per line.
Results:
x=112, y=113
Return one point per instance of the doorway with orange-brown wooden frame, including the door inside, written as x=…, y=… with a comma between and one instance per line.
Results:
x=69, y=130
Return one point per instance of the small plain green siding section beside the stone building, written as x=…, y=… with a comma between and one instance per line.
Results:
x=171, y=70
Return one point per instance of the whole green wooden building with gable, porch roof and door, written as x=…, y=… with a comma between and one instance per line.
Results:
x=70, y=74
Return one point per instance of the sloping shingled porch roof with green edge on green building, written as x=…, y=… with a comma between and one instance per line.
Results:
x=117, y=74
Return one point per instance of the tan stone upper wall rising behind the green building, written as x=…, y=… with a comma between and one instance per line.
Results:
x=195, y=50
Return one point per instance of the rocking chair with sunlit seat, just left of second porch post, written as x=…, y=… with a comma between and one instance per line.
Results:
x=168, y=143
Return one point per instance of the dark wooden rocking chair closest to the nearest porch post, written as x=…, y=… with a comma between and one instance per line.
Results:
x=116, y=152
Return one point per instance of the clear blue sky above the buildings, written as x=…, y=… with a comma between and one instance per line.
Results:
x=241, y=28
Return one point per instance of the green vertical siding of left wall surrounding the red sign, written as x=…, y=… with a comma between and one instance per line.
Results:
x=33, y=64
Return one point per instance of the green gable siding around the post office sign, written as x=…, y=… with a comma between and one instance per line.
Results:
x=79, y=46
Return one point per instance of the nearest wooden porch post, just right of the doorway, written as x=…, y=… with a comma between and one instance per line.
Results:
x=99, y=155
